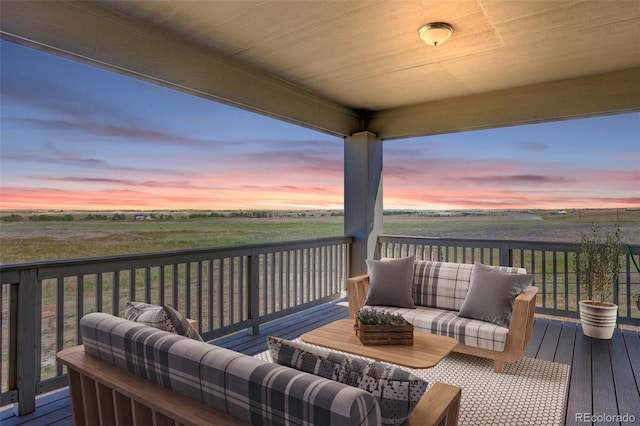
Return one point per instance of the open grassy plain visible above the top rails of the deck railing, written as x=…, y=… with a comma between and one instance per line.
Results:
x=28, y=241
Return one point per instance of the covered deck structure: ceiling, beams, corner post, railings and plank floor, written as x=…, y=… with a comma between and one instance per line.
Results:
x=360, y=72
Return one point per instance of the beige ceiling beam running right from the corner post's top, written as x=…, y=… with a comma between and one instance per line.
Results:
x=609, y=93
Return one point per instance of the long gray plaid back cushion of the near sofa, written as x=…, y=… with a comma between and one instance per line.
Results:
x=254, y=391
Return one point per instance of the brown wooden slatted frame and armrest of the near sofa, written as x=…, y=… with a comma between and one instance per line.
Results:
x=103, y=394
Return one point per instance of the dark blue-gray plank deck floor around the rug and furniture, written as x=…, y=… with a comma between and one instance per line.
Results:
x=605, y=375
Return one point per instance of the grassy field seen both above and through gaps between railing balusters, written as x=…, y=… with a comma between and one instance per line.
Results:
x=64, y=238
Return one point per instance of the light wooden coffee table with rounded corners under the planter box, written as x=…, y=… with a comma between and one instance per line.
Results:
x=427, y=349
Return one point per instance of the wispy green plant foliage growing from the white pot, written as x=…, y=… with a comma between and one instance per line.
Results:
x=598, y=263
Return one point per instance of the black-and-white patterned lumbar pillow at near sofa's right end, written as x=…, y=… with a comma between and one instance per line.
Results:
x=396, y=390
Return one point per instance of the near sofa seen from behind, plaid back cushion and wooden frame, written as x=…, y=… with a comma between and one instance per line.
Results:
x=130, y=373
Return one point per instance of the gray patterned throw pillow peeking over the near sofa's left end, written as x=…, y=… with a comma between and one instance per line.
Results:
x=161, y=317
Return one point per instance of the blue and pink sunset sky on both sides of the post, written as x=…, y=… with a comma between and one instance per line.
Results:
x=77, y=137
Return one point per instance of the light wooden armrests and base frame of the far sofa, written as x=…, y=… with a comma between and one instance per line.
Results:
x=520, y=328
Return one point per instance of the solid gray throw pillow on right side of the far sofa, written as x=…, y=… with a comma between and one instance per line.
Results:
x=492, y=293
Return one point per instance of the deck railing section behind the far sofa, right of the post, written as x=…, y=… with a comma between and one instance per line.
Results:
x=550, y=263
